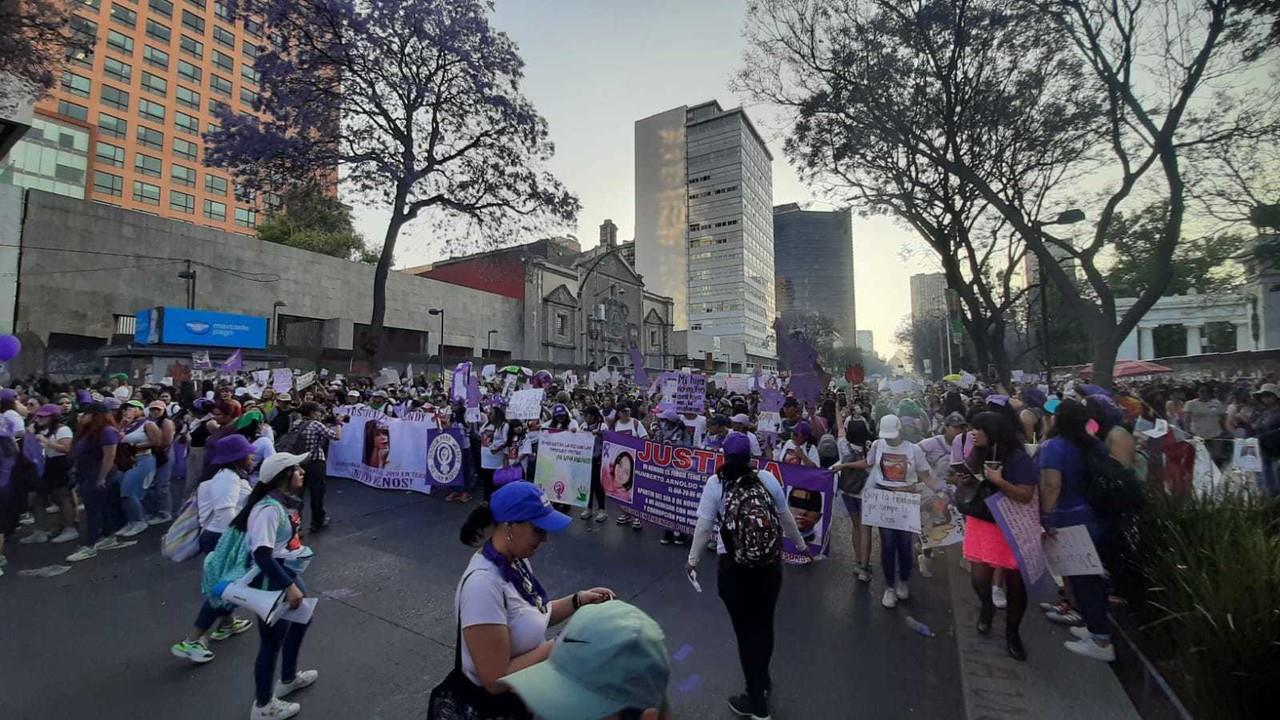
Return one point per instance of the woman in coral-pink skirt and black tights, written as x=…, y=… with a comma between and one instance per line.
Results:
x=1000, y=459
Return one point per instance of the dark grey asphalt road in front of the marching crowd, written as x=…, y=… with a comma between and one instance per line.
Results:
x=95, y=641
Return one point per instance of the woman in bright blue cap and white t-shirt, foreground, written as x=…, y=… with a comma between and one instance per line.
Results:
x=504, y=612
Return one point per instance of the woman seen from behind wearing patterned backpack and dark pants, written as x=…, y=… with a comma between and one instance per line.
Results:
x=749, y=589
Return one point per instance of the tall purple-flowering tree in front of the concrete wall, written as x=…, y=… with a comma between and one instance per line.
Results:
x=417, y=102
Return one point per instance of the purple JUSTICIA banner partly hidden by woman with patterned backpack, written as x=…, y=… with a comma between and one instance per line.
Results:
x=662, y=485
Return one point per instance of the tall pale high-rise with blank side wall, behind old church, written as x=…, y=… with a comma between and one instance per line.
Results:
x=705, y=227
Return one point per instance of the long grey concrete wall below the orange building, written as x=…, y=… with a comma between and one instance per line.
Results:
x=84, y=263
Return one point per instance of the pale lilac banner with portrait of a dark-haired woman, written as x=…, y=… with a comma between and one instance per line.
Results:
x=382, y=452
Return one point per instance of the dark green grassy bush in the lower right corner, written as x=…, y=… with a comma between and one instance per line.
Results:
x=1203, y=577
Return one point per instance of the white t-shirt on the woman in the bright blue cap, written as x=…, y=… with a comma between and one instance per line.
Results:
x=486, y=599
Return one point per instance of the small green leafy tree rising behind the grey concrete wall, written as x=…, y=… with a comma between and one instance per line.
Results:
x=310, y=218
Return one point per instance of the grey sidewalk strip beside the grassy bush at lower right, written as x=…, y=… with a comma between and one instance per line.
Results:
x=1053, y=685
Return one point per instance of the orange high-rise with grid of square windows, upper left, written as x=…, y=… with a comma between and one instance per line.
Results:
x=125, y=122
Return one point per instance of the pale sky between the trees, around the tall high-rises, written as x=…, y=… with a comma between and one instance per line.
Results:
x=595, y=67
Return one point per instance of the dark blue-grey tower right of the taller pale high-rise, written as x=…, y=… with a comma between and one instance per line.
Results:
x=813, y=265
